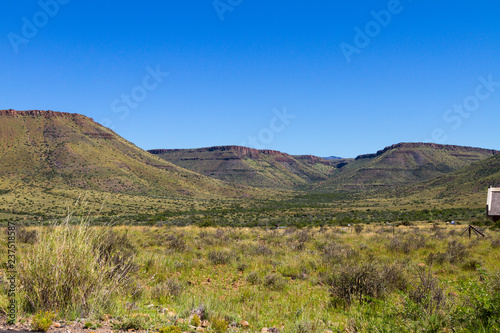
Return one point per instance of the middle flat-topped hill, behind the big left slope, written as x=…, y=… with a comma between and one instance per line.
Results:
x=248, y=166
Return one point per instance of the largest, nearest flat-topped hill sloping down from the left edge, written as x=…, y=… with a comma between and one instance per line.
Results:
x=71, y=150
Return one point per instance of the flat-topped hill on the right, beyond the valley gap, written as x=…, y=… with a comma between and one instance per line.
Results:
x=402, y=164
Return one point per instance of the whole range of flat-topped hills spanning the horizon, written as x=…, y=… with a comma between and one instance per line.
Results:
x=72, y=151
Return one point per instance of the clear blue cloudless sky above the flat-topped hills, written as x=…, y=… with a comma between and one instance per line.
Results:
x=233, y=66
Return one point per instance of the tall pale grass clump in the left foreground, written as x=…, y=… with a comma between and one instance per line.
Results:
x=68, y=270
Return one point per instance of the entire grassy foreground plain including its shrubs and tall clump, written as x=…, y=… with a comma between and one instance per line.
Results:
x=416, y=277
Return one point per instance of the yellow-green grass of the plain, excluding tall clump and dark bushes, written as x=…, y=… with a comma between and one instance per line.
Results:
x=280, y=278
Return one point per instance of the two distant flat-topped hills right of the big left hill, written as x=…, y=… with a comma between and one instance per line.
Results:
x=397, y=165
